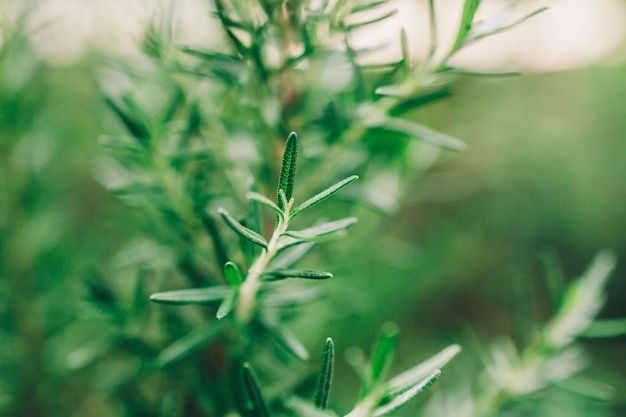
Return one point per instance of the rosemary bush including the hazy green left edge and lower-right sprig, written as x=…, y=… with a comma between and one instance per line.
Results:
x=255, y=173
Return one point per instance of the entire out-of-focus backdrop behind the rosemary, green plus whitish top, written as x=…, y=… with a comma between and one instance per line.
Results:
x=544, y=173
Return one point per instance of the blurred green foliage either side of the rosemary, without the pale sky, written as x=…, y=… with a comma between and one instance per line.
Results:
x=544, y=174
